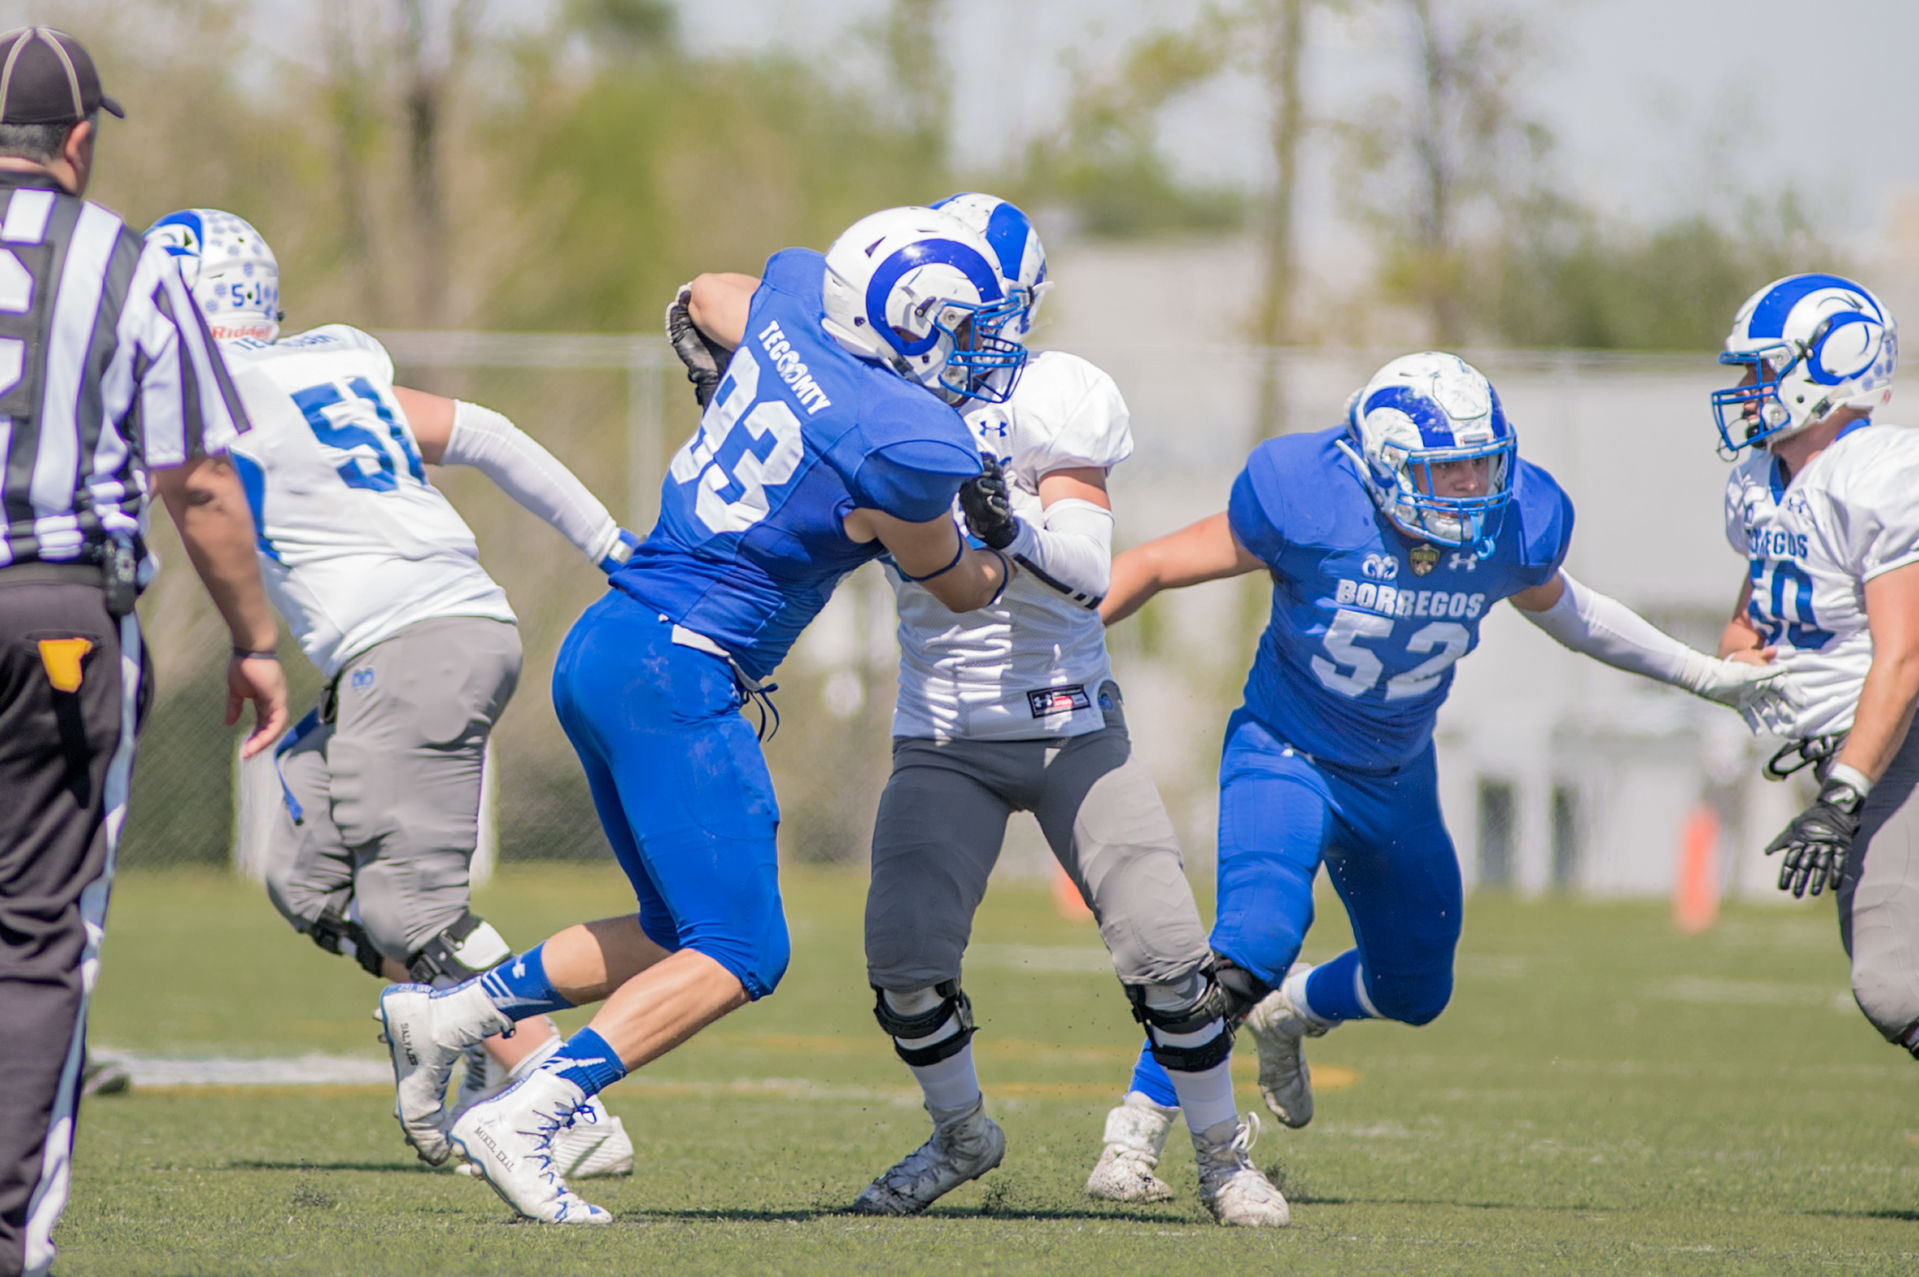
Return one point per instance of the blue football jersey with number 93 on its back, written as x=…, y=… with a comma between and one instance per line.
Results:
x=799, y=433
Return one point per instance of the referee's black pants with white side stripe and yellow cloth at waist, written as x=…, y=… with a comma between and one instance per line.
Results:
x=68, y=713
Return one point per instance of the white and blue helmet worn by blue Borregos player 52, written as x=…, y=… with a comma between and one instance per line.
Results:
x=1421, y=412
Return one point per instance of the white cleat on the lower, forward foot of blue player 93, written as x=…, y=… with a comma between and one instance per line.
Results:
x=509, y=1142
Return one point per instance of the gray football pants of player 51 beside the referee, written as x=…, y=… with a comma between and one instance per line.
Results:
x=391, y=788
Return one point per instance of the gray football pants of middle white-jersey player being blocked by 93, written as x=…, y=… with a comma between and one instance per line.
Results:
x=943, y=819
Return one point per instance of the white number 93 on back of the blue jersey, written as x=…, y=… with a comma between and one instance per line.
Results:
x=724, y=462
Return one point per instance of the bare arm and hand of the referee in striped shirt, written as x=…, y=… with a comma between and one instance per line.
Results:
x=216, y=525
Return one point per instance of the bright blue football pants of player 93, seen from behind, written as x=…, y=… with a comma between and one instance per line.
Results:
x=680, y=786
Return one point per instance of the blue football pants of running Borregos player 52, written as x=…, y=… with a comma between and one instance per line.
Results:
x=1386, y=852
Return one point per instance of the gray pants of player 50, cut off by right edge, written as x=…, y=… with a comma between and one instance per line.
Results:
x=1880, y=902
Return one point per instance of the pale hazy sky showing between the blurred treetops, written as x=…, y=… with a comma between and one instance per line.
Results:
x=1657, y=107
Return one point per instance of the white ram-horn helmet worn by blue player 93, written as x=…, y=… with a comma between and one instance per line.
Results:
x=916, y=291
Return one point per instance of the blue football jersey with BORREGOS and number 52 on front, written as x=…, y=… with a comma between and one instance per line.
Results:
x=1367, y=621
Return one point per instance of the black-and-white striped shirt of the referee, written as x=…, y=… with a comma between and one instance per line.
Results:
x=107, y=372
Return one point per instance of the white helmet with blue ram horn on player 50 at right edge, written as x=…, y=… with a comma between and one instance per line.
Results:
x=1811, y=345
